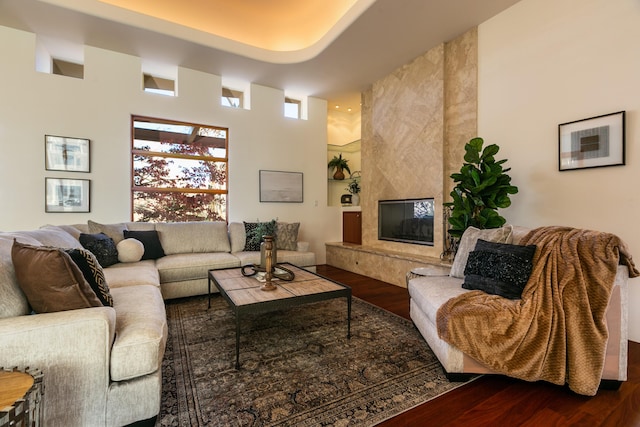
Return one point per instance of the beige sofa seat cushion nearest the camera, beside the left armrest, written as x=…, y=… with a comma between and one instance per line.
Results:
x=141, y=332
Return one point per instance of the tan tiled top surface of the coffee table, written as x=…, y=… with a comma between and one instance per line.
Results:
x=246, y=290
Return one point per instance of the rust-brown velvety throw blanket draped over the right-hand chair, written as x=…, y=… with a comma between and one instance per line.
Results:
x=557, y=331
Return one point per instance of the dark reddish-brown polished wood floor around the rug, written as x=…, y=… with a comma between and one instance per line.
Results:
x=501, y=401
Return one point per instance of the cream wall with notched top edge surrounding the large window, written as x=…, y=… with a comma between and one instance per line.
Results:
x=99, y=107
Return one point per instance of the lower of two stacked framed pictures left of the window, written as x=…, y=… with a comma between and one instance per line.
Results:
x=66, y=195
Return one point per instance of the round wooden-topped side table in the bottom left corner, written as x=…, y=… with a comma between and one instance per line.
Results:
x=21, y=398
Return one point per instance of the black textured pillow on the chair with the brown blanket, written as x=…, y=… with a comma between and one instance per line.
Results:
x=499, y=268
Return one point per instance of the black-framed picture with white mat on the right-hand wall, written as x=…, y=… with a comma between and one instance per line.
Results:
x=591, y=143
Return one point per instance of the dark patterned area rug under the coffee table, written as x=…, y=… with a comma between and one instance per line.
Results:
x=297, y=366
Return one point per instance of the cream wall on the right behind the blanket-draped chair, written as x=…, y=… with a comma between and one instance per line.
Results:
x=546, y=62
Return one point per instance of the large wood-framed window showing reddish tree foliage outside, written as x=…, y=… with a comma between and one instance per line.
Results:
x=179, y=171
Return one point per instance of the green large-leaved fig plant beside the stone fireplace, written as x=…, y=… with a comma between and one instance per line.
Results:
x=482, y=188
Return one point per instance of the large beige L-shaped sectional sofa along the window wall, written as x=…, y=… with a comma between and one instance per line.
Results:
x=102, y=365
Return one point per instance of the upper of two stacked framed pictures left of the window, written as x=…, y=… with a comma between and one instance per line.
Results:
x=66, y=154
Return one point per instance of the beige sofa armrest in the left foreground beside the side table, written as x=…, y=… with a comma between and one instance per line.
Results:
x=72, y=349
